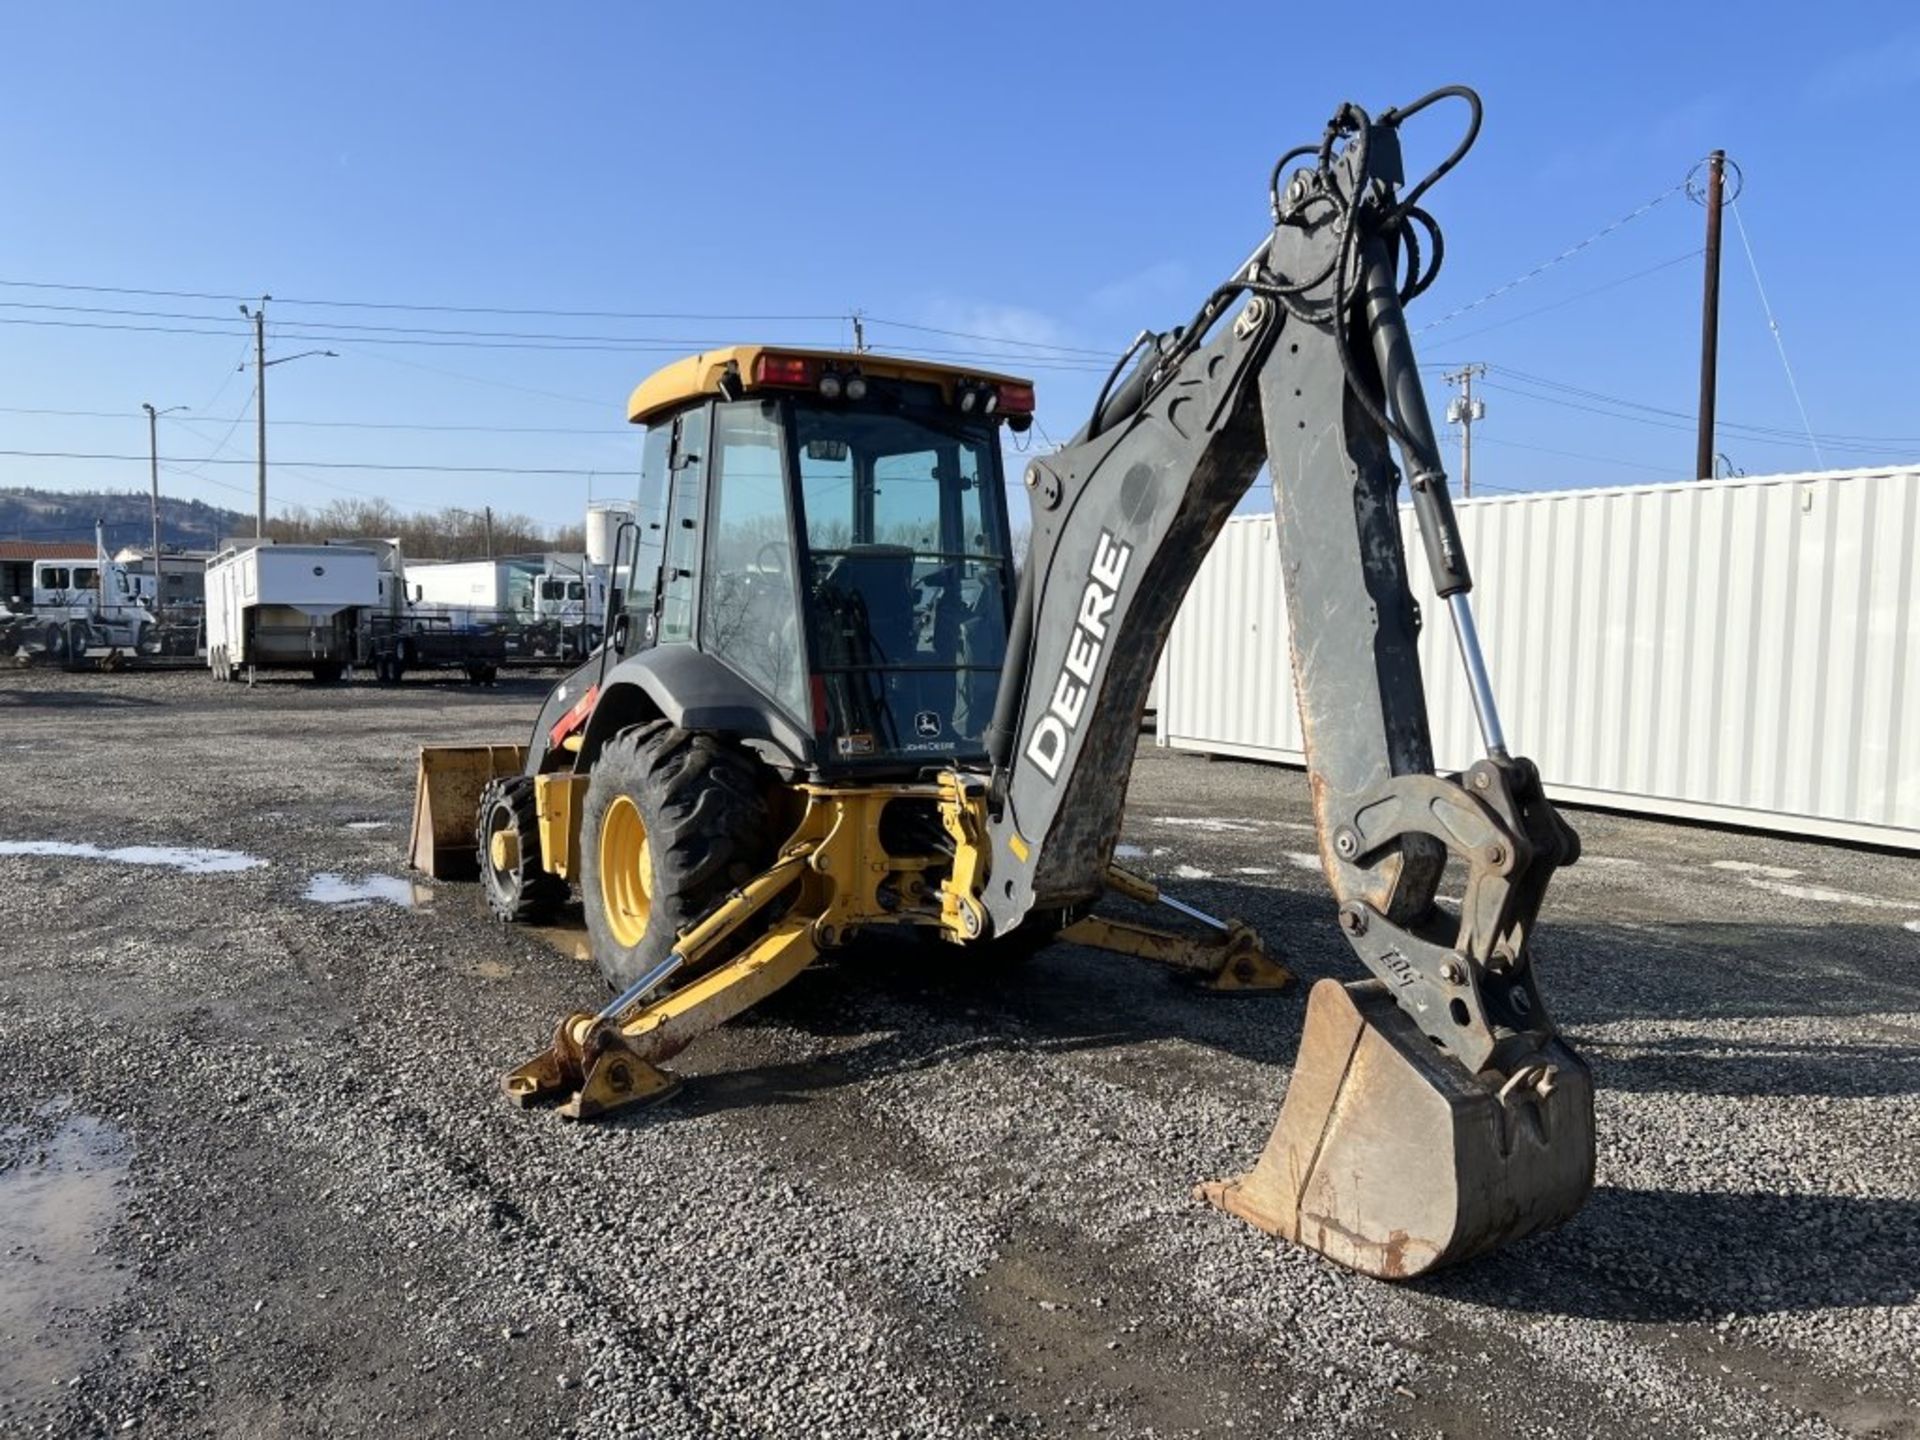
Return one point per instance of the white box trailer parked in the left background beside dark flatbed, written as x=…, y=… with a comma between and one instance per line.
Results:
x=289, y=608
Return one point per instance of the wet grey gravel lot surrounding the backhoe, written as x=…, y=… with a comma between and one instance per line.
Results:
x=256, y=1176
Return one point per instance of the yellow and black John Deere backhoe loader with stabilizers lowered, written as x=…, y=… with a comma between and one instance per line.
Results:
x=825, y=708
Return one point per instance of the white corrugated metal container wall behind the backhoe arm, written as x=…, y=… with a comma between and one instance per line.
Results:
x=1735, y=650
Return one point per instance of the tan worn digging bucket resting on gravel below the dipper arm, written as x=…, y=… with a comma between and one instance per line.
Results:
x=1393, y=1161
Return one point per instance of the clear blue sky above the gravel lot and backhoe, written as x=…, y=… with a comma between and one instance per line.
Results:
x=1051, y=178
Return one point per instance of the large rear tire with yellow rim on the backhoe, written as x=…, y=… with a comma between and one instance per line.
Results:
x=673, y=823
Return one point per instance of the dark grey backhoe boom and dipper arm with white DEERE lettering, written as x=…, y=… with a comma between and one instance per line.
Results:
x=1316, y=377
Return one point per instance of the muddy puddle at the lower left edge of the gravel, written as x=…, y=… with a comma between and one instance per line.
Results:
x=60, y=1199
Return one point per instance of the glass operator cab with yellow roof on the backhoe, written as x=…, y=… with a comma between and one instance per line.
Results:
x=832, y=527
